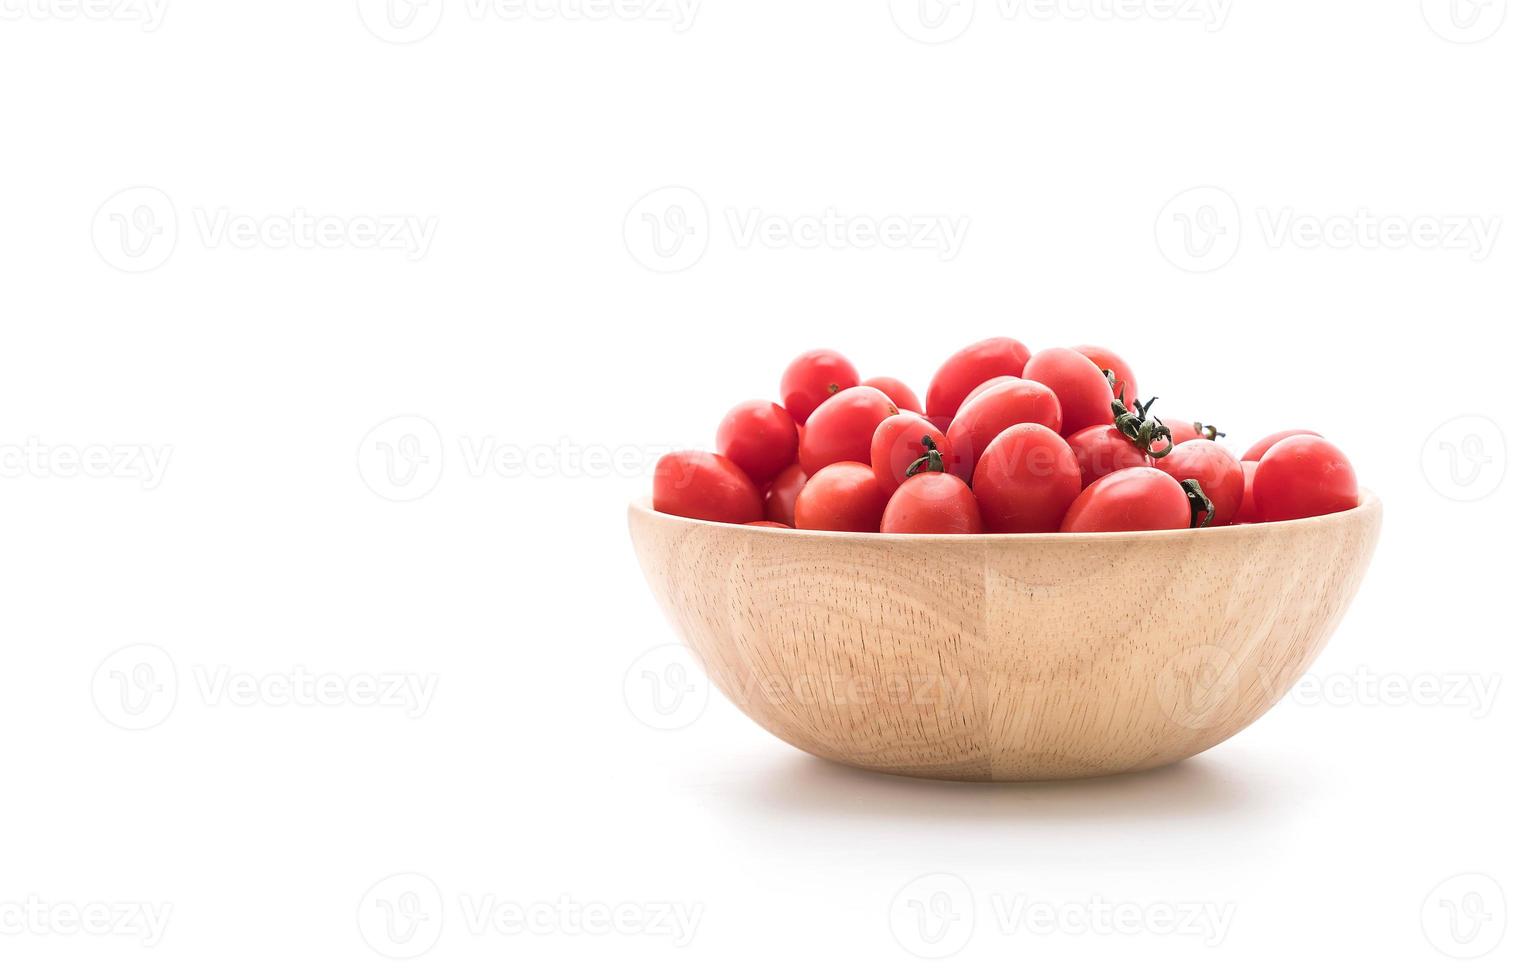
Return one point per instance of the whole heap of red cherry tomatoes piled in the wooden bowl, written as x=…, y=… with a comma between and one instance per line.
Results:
x=1007, y=442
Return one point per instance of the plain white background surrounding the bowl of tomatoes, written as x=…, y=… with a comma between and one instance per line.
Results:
x=196, y=319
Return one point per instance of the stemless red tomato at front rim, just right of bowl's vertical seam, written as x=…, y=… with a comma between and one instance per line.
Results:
x=1026, y=480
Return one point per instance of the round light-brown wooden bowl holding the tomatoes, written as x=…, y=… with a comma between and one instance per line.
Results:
x=1006, y=656
